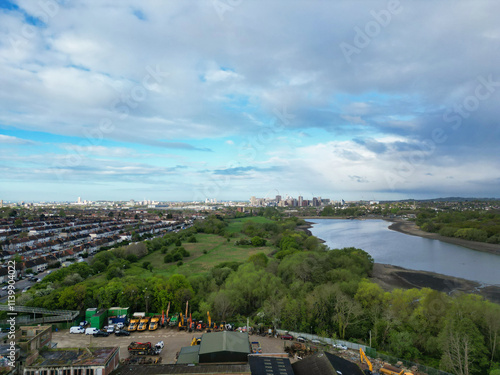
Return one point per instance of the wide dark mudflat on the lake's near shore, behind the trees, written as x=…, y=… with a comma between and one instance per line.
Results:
x=391, y=277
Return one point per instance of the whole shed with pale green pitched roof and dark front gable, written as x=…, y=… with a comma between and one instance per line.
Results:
x=224, y=346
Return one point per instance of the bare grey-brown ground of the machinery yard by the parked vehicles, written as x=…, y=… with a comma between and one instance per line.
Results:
x=173, y=339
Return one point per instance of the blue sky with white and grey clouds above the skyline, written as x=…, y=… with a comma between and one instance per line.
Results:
x=227, y=99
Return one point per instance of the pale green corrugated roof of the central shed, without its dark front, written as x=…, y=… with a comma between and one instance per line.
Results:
x=225, y=341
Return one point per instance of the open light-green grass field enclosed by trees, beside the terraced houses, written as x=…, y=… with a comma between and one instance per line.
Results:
x=217, y=249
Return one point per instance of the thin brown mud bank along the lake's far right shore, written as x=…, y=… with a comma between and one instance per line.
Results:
x=410, y=228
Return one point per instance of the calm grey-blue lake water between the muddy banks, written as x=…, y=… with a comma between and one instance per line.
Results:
x=412, y=252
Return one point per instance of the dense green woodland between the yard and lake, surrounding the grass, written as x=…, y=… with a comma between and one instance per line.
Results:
x=296, y=284
